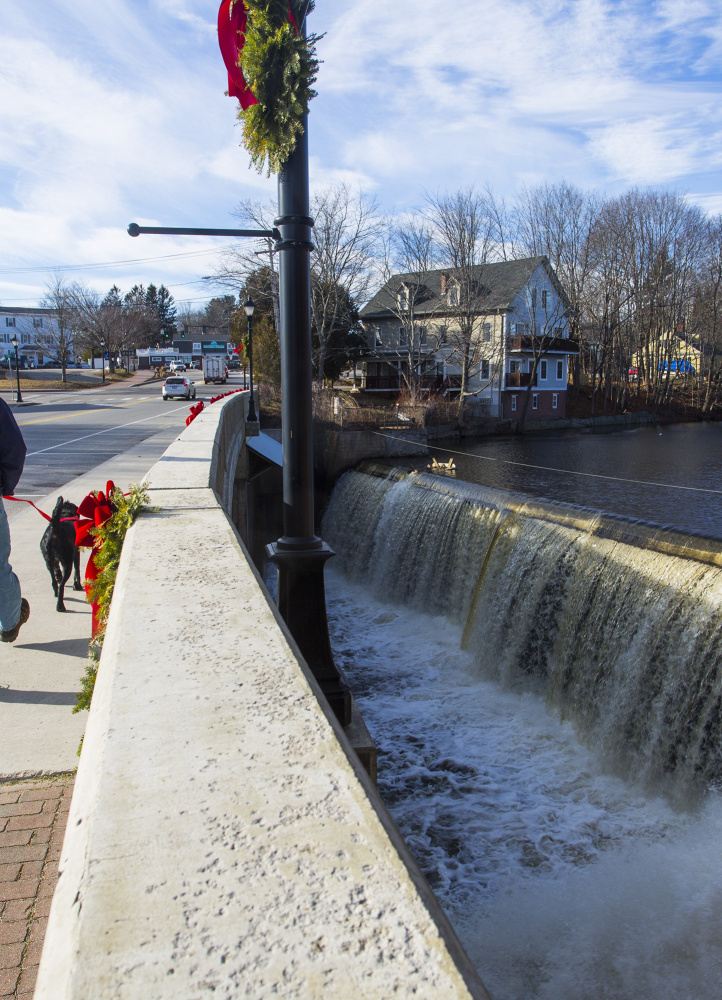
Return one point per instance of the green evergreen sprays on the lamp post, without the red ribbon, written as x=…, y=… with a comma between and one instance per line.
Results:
x=280, y=67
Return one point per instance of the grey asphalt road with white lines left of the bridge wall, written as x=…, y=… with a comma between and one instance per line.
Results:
x=69, y=433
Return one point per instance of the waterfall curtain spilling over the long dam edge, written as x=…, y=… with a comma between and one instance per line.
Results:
x=616, y=622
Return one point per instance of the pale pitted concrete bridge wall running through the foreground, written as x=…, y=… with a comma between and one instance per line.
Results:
x=223, y=838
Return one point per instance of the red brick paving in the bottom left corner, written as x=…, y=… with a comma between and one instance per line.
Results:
x=33, y=815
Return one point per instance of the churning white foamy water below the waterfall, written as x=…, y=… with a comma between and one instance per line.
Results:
x=562, y=881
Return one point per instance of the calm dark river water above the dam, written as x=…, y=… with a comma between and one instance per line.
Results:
x=679, y=455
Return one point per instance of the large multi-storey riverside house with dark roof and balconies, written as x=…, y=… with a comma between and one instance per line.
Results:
x=520, y=335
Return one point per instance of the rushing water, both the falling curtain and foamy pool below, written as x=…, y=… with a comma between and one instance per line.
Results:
x=563, y=878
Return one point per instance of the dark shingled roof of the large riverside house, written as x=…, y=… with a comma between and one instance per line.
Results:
x=501, y=282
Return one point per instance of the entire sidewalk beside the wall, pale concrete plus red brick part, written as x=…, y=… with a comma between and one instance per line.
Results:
x=39, y=677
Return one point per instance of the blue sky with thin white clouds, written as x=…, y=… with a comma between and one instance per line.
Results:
x=115, y=112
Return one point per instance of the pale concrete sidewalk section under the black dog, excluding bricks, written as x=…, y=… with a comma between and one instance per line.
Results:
x=40, y=672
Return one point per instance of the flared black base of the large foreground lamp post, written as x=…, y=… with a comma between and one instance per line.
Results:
x=302, y=603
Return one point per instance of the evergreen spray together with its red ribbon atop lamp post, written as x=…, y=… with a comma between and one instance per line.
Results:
x=271, y=70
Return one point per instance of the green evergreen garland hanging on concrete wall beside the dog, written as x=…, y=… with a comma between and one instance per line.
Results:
x=112, y=534
